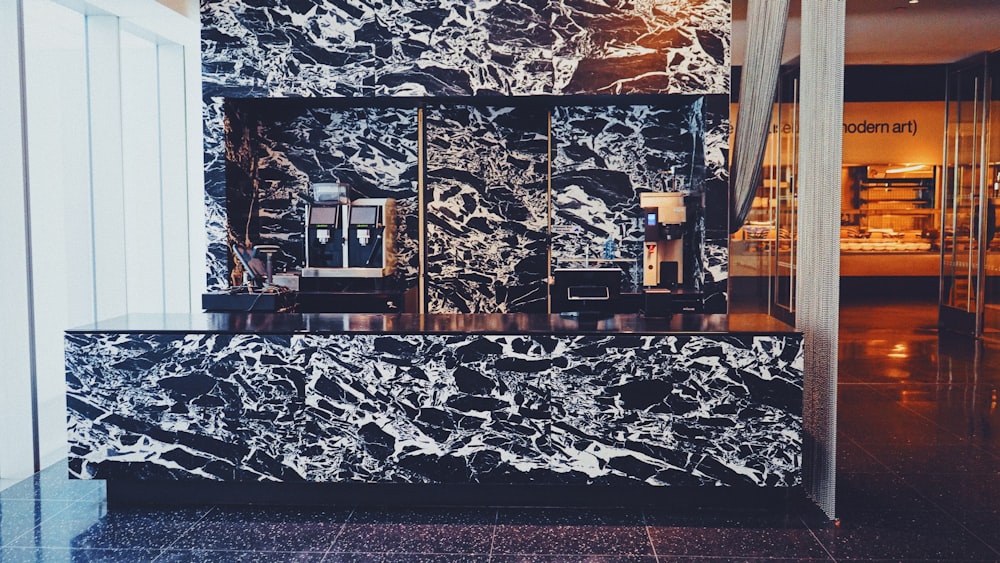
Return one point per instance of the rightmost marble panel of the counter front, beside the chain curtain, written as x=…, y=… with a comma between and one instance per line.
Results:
x=679, y=410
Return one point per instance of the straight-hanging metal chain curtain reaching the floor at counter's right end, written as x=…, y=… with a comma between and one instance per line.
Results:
x=817, y=288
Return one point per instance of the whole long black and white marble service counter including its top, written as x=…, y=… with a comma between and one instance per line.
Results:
x=437, y=399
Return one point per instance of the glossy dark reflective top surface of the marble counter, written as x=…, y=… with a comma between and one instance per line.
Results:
x=404, y=323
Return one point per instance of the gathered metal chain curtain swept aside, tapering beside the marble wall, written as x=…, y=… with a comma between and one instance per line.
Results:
x=766, y=21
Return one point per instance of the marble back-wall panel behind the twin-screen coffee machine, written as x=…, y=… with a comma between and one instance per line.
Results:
x=277, y=150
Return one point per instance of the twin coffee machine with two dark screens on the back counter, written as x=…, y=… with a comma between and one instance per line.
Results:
x=348, y=239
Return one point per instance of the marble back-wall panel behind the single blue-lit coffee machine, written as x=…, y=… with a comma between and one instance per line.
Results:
x=604, y=157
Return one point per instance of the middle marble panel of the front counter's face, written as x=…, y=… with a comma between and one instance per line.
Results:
x=426, y=409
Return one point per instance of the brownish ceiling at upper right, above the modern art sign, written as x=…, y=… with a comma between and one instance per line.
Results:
x=895, y=32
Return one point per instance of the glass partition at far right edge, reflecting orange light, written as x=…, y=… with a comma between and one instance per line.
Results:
x=970, y=263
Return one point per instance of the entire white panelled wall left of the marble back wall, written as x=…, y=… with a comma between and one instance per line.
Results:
x=98, y=209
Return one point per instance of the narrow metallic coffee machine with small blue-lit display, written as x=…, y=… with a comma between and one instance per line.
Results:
x=663, y=250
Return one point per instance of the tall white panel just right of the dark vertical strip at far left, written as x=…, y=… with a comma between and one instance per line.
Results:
x=59, y=194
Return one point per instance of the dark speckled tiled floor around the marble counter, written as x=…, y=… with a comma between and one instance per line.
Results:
x=918, y=480
